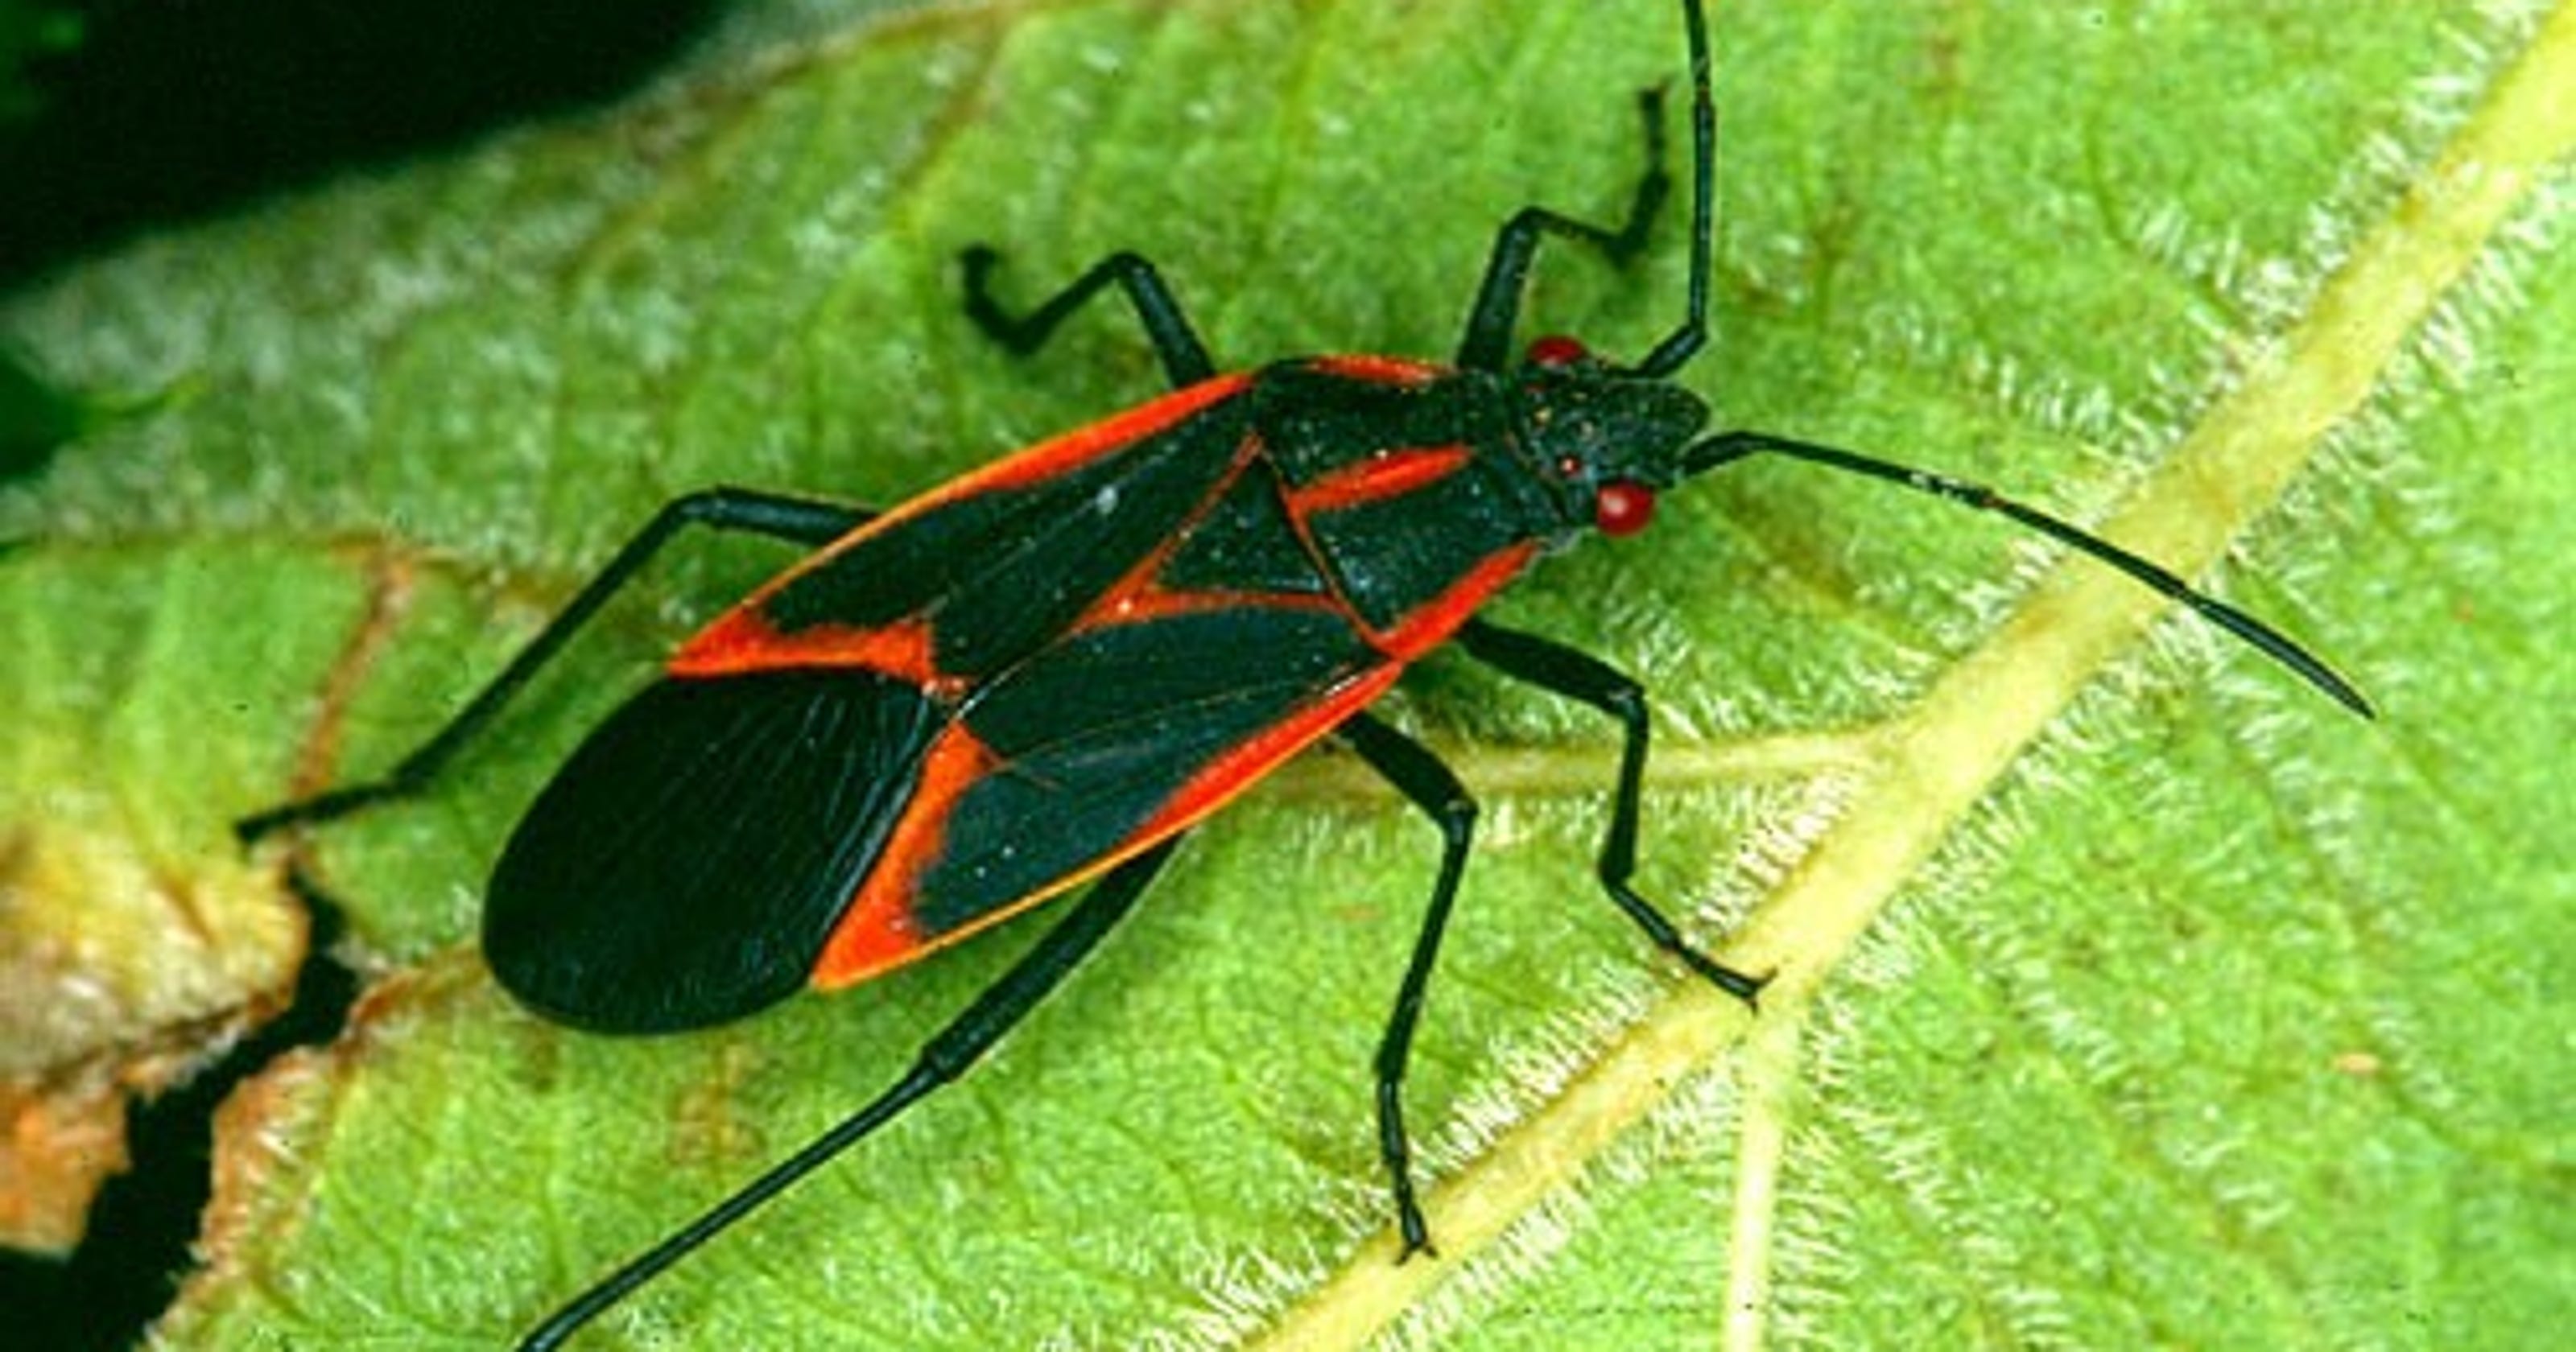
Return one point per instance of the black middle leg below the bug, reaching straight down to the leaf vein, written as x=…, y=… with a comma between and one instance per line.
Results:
x=1431, y=787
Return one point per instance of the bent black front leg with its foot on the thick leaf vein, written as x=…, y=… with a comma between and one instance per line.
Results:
x=1591, y=681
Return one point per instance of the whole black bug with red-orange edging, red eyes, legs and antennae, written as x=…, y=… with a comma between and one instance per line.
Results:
x=1039, y=676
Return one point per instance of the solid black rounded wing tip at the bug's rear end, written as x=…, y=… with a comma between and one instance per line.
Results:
x=689, y=861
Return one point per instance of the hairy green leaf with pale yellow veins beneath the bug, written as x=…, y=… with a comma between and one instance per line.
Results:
x=2129, y=993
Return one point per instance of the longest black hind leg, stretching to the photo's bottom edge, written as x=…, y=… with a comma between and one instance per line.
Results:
x=942, y=1060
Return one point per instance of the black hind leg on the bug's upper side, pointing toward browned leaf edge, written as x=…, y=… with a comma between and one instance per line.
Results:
x=759, y=514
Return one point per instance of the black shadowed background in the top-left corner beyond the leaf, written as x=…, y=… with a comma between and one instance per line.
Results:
x=122, y=117
